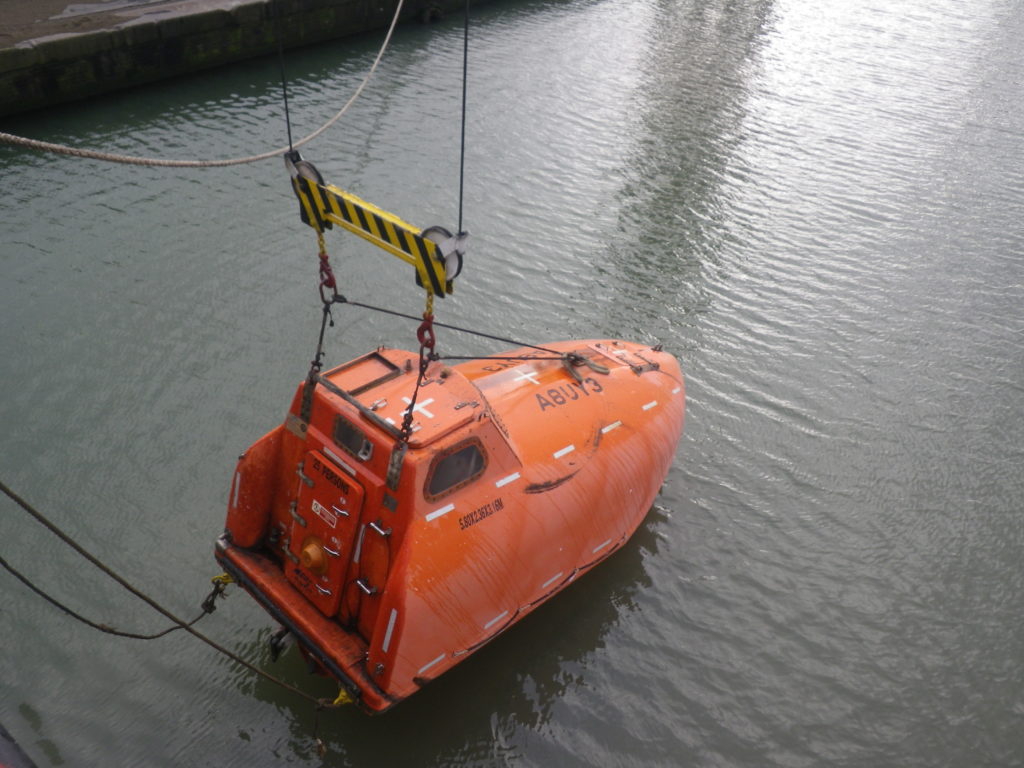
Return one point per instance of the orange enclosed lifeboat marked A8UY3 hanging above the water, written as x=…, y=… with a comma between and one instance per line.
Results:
x=392, y=562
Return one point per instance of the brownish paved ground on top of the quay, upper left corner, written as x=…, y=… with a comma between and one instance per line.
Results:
x=28, y=20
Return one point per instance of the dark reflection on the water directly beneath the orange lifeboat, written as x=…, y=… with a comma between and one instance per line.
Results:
x=531, y=668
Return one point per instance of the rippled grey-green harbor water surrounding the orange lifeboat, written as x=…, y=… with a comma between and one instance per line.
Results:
x=818, y=206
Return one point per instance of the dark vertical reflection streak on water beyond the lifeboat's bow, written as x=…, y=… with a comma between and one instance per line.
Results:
x=675, y=217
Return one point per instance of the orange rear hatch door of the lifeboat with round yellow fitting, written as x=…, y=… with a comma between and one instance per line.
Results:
x=323, y=532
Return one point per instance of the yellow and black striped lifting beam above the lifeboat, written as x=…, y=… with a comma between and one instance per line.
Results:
x=435, y=252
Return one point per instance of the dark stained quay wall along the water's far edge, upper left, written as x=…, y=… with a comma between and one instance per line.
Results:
x=136, y=45
